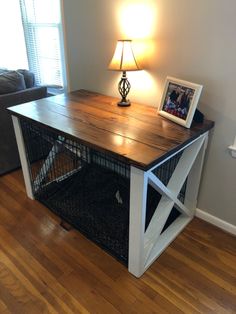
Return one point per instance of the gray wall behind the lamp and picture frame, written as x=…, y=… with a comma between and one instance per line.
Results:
x=188, y=39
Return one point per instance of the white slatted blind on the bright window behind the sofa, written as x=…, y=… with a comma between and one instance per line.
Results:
x=41, y=21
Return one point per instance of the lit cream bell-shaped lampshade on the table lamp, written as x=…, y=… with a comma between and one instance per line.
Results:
x=124, y=59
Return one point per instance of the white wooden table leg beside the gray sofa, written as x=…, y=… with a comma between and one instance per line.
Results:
x=23, y=158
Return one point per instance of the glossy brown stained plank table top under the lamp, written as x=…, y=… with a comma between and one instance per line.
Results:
x=137, y=134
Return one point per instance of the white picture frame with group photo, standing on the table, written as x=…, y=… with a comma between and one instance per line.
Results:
x=179, y=100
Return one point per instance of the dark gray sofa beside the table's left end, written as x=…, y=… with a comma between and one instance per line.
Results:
x=16, y=87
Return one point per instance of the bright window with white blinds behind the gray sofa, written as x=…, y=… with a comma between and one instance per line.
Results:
x=34, y=41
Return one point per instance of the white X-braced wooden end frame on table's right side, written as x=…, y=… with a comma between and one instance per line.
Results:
x=146, y=246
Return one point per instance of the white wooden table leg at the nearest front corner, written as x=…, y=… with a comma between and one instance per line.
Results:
x=138, y=197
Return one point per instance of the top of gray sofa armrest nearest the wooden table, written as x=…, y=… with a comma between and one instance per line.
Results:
x=20, y=97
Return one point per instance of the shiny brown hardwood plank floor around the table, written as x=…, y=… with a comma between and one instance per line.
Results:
x=45, y=269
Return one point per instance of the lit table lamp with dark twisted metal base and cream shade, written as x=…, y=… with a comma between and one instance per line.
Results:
x=124, y=60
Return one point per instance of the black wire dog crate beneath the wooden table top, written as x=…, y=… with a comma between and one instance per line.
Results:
x=87, y=188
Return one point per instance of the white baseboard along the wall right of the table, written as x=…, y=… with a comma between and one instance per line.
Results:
x=216, y=221
